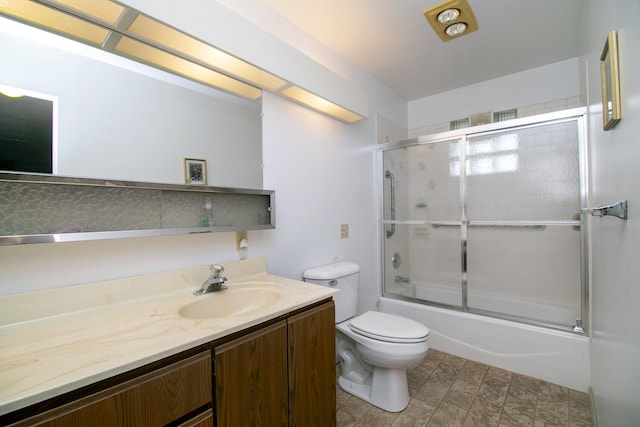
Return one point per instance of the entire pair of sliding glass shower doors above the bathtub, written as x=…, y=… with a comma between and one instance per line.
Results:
x=488, y=221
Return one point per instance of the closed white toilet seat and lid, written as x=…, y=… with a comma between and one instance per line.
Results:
x=388, y=328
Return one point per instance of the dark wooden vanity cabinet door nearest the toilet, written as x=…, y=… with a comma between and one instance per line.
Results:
x=312, y=367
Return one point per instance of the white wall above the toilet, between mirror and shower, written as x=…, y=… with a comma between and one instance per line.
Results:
x=322, y=171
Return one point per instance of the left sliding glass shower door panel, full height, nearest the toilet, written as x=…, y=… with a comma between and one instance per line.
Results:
x=424, y=252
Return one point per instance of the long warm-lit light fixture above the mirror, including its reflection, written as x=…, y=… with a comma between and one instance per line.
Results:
x=111, y=26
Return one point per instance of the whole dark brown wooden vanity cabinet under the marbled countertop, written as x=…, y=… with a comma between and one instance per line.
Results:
x=278, y=373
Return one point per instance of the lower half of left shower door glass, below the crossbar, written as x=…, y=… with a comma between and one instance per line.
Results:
x=429, y=268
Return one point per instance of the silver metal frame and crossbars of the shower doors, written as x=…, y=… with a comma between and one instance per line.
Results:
x=463, y=135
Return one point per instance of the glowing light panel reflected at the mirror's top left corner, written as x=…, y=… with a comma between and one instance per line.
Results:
x=53, y=20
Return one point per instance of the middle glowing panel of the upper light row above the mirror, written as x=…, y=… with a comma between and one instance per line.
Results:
x=159, y=33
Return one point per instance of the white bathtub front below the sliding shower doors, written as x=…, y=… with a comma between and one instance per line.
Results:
x=559, y=357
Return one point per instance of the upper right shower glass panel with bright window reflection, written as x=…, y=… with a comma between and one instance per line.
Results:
x=528, y=174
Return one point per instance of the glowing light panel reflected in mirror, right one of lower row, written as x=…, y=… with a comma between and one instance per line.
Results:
x=167, y=61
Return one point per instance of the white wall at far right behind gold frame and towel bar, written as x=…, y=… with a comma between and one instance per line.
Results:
x=615, y=175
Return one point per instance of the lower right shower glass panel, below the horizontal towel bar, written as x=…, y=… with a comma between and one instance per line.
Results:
x=528, y=272
